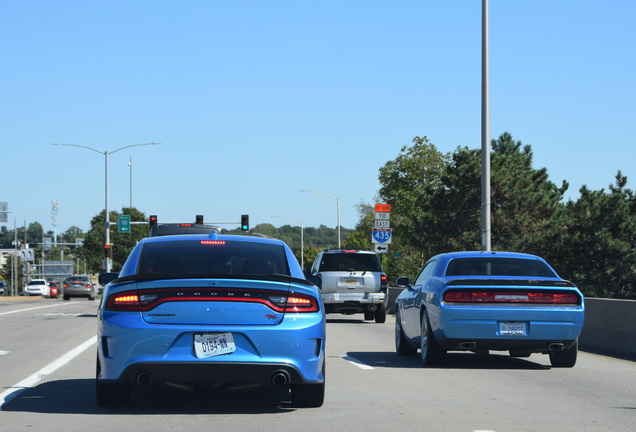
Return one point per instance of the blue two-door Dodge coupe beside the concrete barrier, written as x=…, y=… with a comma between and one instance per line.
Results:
x=481, y=301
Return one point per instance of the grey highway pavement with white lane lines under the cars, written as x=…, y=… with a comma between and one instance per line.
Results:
x=47, y=371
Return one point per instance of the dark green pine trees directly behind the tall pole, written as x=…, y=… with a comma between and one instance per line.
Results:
x=523, y=201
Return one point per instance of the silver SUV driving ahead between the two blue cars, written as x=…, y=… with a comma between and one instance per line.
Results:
x=351, y=281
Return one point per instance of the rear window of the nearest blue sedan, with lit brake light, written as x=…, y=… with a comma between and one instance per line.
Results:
x=192, y=257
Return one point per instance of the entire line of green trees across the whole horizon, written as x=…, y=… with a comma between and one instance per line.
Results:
x=435, y=203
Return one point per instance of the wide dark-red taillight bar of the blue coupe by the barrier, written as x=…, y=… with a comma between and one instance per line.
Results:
x=531, y=297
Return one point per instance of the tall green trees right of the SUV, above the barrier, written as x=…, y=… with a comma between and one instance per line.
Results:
x=436, y=207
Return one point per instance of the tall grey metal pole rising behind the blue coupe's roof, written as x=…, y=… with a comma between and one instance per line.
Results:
x=485, y=133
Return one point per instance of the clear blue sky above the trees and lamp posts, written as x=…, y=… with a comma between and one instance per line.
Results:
x=253, y=101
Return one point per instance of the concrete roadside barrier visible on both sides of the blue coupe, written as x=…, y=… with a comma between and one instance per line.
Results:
x=609, y=326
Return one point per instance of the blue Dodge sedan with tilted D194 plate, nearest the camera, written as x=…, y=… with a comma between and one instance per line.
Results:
x=191, y=311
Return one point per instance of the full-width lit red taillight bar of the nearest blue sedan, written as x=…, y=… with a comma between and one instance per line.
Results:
x=150, y=299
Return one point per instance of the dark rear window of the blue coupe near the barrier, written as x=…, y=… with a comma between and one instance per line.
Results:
x=491, y=266
